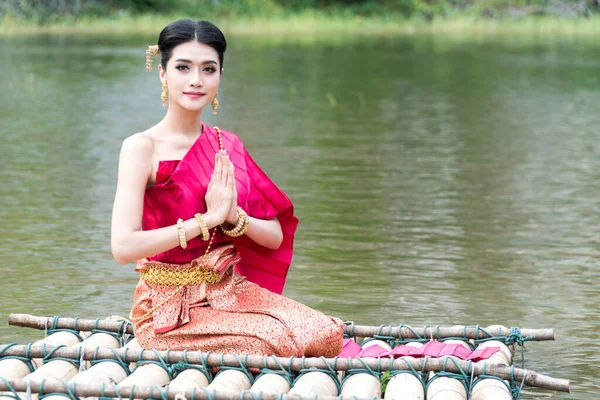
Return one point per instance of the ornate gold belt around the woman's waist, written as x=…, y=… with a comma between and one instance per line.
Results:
x=167, y=276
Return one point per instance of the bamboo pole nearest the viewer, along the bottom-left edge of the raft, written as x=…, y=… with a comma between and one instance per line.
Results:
x=152, y=392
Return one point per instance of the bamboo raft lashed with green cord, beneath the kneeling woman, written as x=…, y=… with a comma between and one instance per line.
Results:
x=82, y=358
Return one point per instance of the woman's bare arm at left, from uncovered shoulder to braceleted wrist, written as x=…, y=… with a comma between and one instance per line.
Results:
x=129, y=243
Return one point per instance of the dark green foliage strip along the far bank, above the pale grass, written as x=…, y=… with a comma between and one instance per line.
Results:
x=48, y=11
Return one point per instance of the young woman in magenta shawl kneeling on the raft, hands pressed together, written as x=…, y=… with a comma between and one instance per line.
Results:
x=212, y=234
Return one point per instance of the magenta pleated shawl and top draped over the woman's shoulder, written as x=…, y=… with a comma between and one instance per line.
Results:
x=179, y=193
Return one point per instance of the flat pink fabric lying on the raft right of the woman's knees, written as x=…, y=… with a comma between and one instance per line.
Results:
x=430, y=349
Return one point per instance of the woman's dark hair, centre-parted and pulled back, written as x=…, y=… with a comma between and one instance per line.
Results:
x=186, y=30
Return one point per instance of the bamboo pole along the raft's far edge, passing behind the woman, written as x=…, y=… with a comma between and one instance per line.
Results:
x=31, y=321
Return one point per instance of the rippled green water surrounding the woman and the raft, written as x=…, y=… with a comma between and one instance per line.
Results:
x=438, y=180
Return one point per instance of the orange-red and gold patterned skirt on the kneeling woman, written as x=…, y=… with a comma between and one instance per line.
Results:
x=231, y=316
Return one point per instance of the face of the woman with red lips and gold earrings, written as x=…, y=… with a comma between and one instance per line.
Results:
x=193, y=75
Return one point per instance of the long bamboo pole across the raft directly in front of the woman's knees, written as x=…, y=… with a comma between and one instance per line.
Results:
x=531, y=378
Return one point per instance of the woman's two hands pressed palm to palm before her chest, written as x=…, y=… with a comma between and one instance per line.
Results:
x=221, y=195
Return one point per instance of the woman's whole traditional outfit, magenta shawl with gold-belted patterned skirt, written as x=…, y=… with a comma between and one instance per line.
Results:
x=238, y=306
